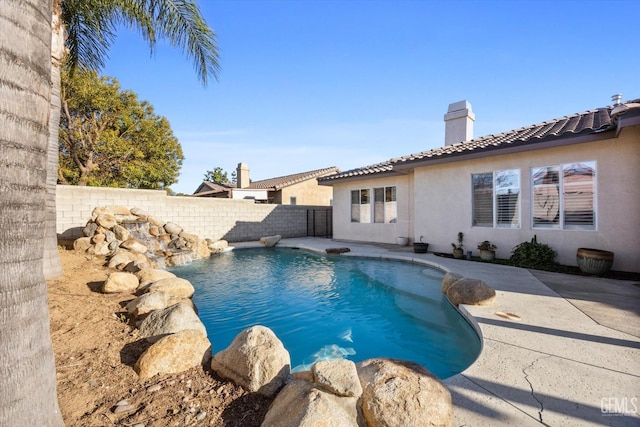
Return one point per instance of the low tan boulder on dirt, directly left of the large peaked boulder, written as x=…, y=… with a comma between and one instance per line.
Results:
x=174, y=353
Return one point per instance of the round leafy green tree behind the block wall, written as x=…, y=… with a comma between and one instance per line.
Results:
x=109, y=138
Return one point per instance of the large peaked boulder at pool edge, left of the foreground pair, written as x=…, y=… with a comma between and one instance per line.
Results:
x=256, y=360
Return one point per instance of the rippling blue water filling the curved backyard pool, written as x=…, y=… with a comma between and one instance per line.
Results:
x=330, y=306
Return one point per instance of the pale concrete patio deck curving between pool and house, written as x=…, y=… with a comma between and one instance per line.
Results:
x=571, y=359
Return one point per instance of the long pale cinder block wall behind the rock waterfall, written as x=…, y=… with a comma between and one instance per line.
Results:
x=232, y=220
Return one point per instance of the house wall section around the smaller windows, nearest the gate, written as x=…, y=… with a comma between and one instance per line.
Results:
x=344, y=229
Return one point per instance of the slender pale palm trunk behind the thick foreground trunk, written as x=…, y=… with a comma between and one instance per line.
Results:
x=51, y=259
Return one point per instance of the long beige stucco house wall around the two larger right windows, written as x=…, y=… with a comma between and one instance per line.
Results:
x=443, y=201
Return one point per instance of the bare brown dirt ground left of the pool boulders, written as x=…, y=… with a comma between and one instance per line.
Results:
x=95, y=349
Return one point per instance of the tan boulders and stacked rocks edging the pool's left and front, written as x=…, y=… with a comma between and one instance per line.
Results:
x=339, y=392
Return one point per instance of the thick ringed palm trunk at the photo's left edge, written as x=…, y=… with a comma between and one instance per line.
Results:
x=27, y=370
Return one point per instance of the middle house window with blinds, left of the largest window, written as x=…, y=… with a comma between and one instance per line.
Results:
x=496, y=199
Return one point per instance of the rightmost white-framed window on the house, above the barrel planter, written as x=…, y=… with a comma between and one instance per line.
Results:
x=563, y=196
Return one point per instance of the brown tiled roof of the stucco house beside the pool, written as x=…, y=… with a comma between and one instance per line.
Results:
x=588, y=124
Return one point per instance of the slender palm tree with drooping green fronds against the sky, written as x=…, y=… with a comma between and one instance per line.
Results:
x=82, y=32
